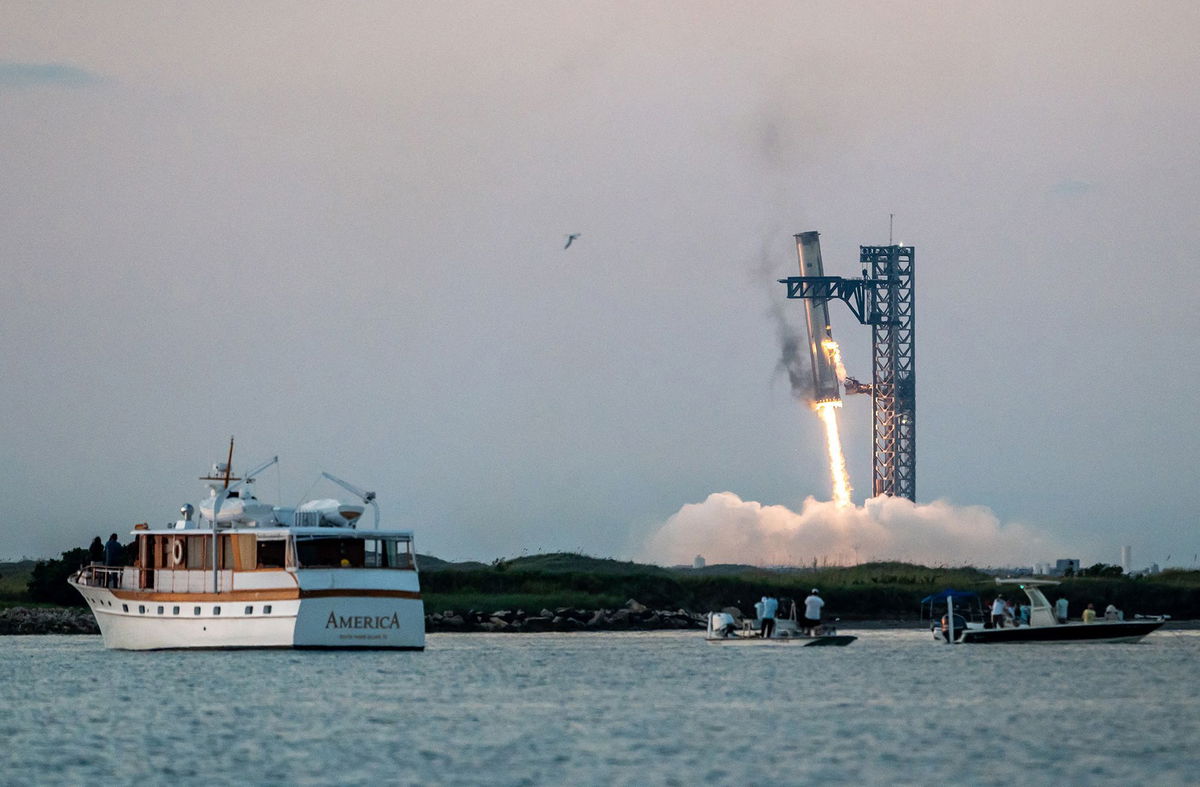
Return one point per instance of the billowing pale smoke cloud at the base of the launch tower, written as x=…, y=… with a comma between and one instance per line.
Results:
x=728, y=530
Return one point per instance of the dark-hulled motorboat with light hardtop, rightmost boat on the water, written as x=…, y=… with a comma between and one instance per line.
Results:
x=1042, y=626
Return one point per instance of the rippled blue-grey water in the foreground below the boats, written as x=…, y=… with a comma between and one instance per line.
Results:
x=604, y=708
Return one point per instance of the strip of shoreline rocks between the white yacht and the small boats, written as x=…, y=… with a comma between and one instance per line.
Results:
x=633, y=617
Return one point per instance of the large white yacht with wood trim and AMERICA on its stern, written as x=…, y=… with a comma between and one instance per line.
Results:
x=237, y=573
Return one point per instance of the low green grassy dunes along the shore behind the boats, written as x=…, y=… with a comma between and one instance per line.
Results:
x=869, y=592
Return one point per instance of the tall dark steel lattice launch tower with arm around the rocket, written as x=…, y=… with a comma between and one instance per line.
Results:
x=883, y=299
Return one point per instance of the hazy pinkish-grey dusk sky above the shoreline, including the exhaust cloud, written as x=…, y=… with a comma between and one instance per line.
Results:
x=335, y=232
